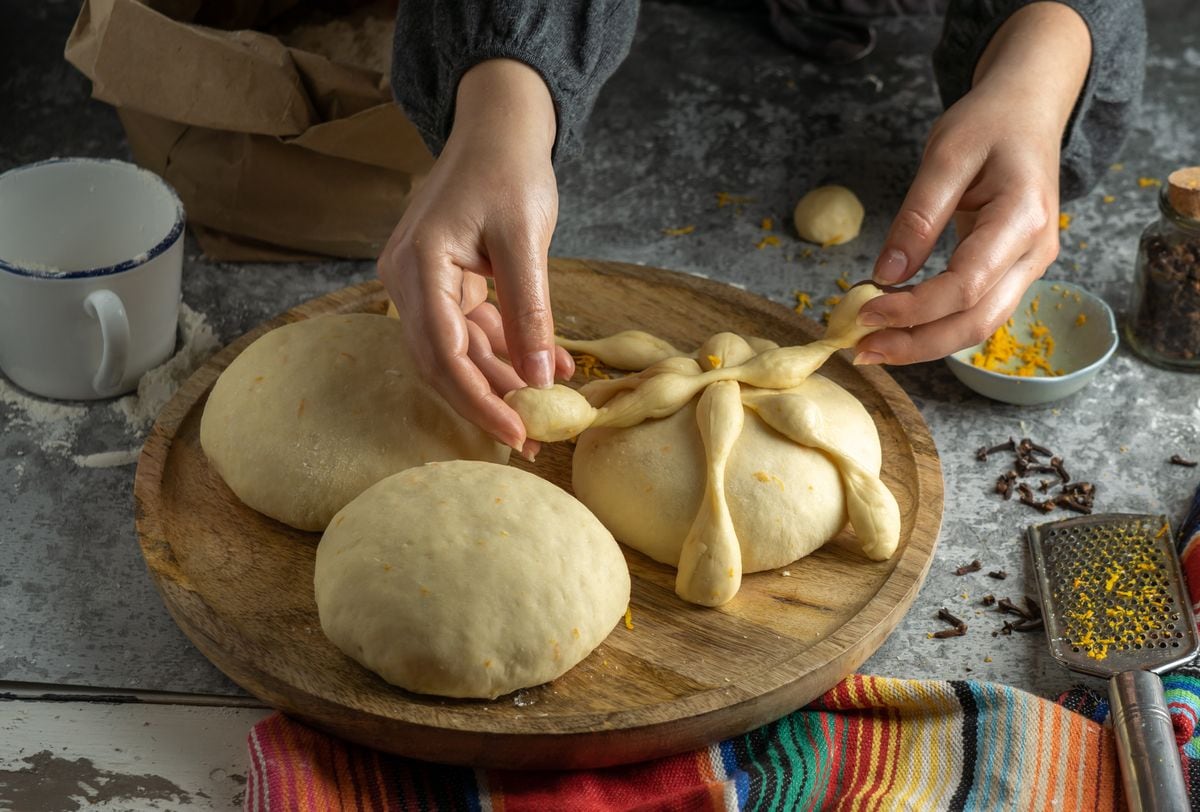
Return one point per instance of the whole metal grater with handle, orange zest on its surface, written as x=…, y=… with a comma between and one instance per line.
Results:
x=1115, y=606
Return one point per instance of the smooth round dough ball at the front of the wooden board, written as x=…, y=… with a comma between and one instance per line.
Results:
x=469, y=580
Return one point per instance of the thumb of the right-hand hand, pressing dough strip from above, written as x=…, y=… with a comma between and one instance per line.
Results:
x=946, y=172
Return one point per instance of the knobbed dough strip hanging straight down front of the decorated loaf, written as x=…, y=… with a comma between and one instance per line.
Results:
x=710, y=570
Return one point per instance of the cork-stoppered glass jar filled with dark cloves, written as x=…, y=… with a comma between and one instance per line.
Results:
x=1165, y=310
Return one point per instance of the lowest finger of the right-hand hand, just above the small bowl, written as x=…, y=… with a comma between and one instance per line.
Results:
x=937, y=340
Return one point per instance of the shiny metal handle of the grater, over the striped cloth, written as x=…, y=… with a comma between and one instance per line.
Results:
x=1147, y=749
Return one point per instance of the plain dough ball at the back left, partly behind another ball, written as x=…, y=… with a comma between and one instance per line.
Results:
x=315, y=413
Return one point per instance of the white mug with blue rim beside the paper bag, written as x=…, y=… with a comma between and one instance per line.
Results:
x=91, y=264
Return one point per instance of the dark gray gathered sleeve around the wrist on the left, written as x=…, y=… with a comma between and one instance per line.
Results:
x=574, y=45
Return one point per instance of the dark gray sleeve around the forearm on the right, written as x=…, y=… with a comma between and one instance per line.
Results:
x=1108, y=106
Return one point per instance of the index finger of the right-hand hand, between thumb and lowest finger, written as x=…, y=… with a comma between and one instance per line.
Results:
x=1006, y=231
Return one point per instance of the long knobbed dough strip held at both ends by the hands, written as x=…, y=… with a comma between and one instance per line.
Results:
x=560, y=413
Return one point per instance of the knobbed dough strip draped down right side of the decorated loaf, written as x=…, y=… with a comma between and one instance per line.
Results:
x=873, y=510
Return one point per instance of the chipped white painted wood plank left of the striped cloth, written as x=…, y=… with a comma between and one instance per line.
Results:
x=67, y=756
